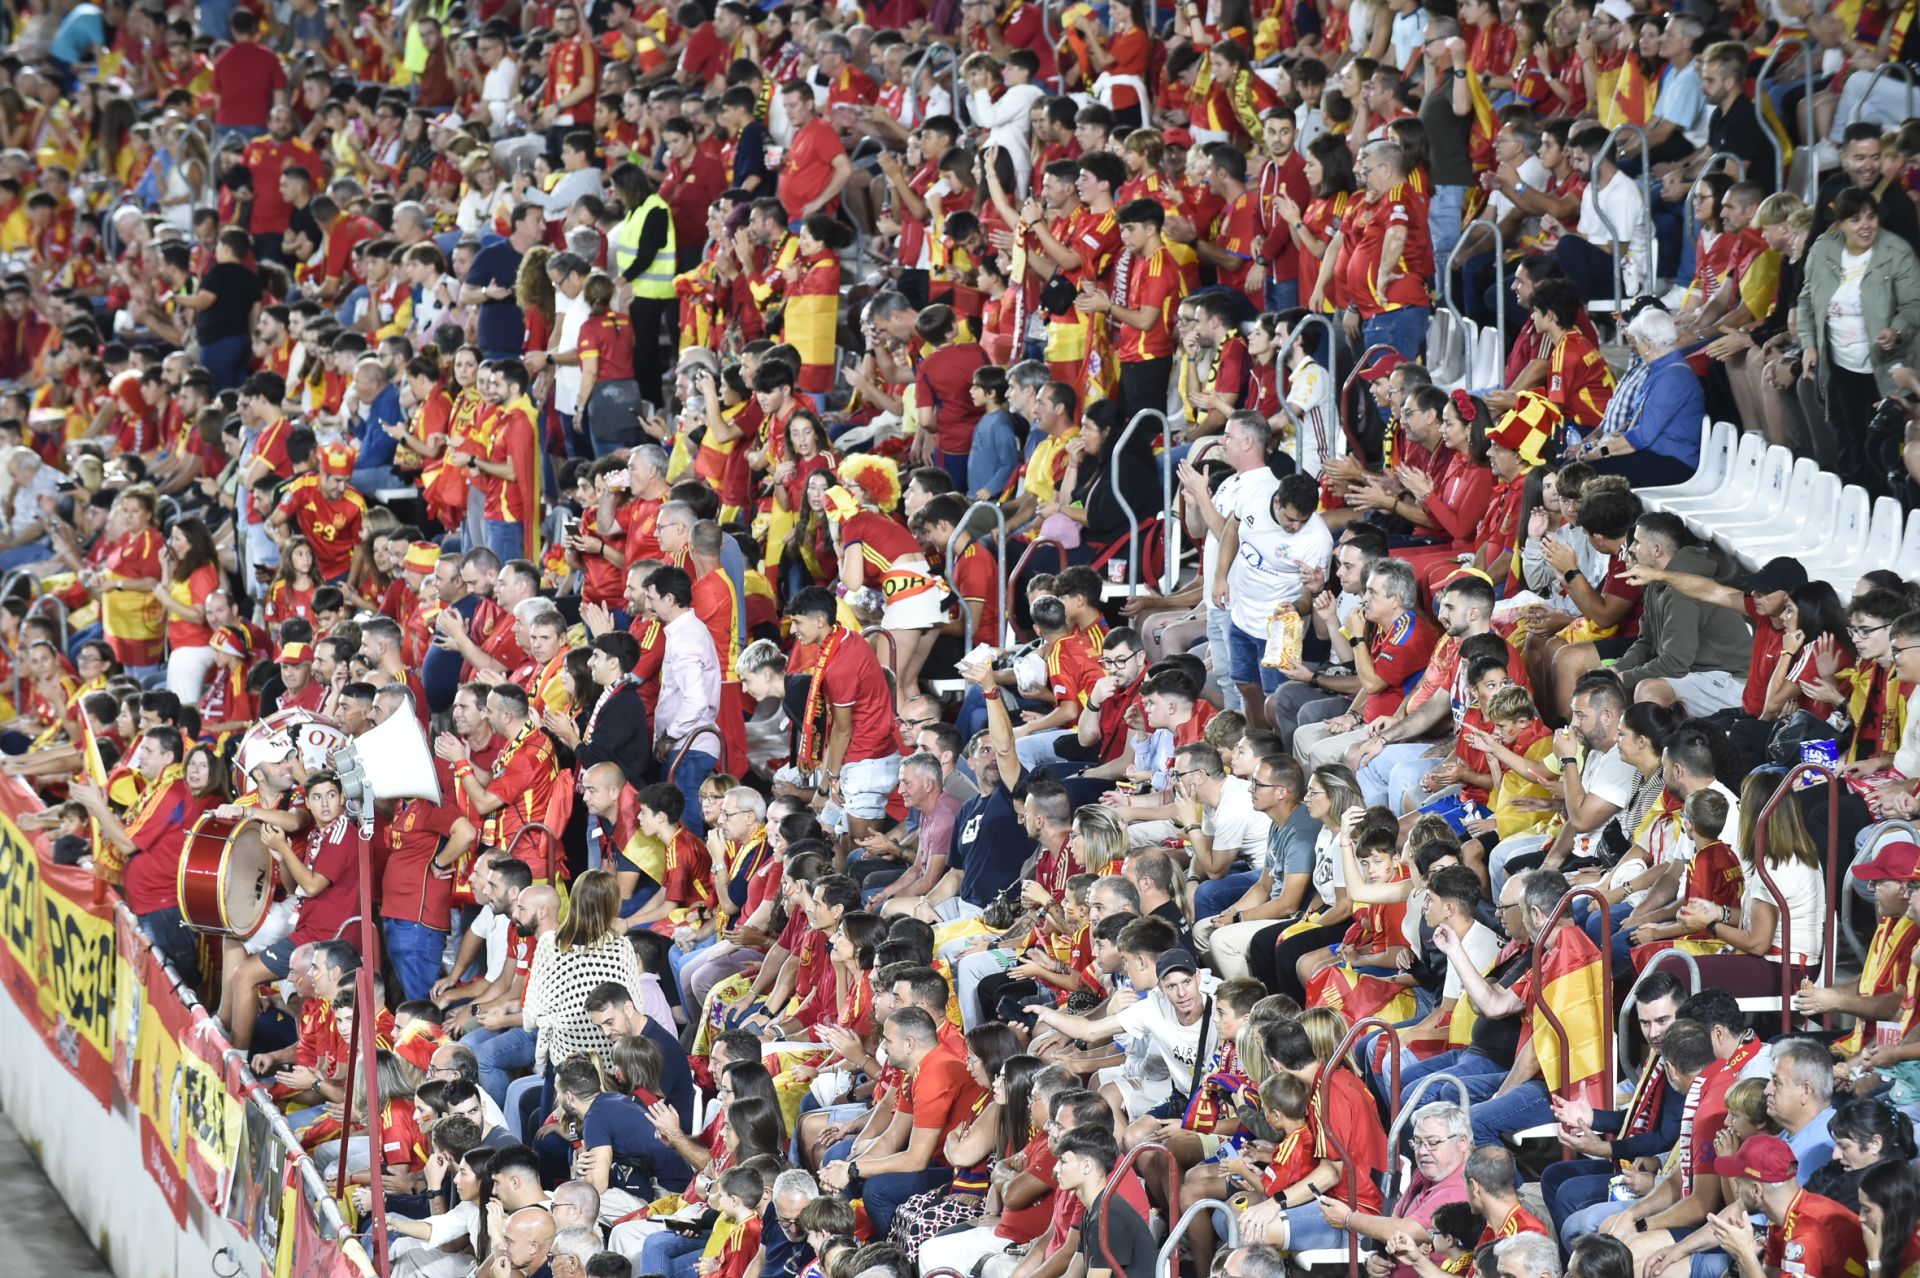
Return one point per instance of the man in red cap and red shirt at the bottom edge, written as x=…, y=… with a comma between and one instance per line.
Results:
x=1810, y=1235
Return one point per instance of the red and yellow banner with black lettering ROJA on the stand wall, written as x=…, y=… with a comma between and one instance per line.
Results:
x=59, y=955
